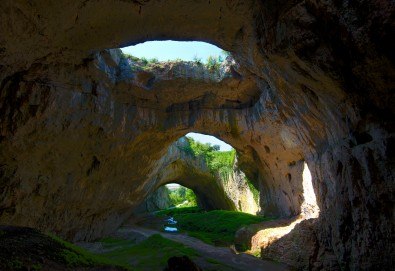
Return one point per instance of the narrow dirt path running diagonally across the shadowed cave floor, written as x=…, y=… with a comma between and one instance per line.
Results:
x=221, y=254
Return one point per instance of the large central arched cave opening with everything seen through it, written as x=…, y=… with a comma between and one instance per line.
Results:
x=205, y=167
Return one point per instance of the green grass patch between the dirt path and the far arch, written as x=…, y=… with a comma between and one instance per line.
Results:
x=216, y=227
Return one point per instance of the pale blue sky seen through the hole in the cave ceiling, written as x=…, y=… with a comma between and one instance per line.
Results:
x=171, y=50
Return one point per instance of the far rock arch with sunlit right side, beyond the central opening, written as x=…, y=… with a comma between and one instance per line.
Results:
x=228, y=191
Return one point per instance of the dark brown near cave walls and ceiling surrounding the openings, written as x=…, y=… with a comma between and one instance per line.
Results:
x=75, y=156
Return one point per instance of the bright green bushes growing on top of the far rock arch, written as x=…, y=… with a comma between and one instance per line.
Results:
x=220, y=162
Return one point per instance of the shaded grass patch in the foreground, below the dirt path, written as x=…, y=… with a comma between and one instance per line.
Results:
x=150, y=254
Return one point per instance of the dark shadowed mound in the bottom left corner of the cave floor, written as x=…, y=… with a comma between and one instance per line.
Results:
x=29, y=249
